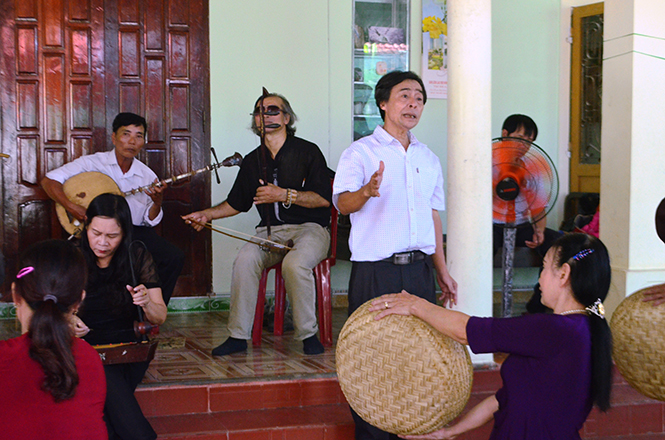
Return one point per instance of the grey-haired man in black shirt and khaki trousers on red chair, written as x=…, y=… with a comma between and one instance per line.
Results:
x=289, y=182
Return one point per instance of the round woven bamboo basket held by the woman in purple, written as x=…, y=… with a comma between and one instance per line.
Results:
x=400, y=374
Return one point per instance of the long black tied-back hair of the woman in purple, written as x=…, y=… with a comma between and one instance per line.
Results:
x=590, y=278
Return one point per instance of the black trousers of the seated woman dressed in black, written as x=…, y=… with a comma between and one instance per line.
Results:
x=122, y=413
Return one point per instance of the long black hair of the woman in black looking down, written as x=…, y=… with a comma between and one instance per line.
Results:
x=111, y=206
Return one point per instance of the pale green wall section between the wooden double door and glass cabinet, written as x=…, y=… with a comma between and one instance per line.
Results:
x=297, y=48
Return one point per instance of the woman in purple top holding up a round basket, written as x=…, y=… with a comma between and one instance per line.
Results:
x=559, y=364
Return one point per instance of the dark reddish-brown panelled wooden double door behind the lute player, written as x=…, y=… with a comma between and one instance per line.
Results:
x=67, y=67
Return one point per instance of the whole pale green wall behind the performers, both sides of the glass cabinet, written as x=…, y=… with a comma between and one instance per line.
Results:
x=302, y=49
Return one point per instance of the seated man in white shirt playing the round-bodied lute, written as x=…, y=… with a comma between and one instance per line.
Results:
x=121, y=165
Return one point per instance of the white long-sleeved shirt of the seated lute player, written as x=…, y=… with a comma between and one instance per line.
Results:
x=139, y=174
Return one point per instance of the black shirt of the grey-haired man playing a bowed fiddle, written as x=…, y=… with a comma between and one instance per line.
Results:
x=299, y=165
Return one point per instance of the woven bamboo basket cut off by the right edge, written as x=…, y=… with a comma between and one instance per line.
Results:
x=638, y=333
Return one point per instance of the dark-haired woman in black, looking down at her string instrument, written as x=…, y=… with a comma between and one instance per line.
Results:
x=112, y=305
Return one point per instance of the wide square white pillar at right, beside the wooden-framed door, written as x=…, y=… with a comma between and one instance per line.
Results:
x=633, y=133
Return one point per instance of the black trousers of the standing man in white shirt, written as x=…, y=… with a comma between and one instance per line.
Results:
x=370, y=280
